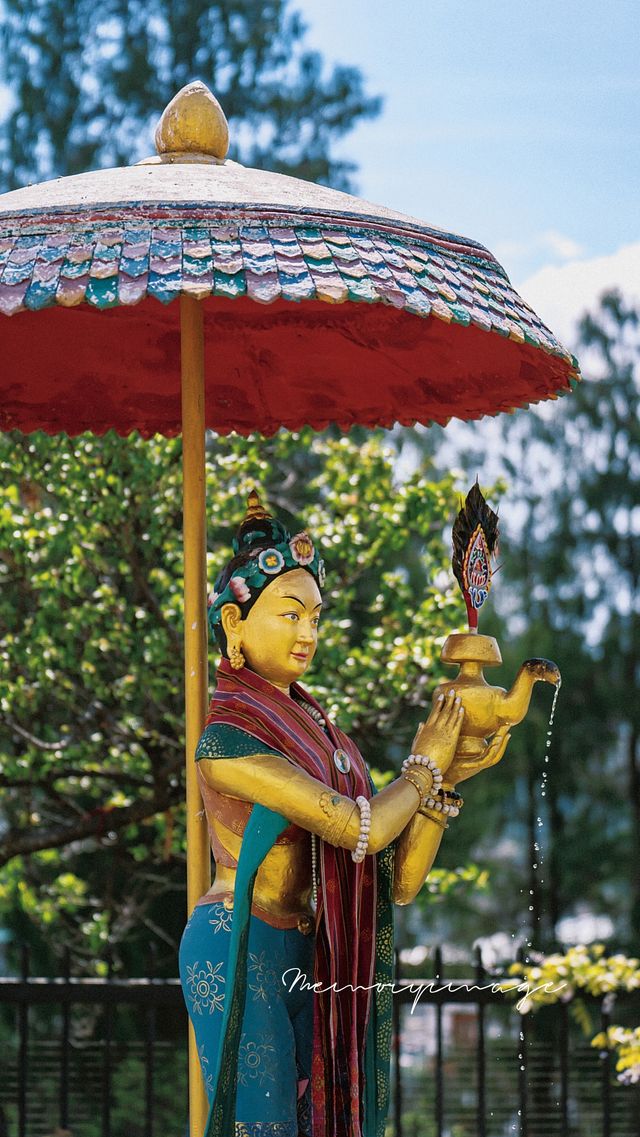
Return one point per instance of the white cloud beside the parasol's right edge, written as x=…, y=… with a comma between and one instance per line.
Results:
x=562, y=294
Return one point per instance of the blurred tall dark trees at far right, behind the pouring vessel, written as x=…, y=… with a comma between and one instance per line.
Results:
x=569, y=591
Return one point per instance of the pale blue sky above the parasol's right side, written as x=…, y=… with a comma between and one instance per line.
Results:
x=514, y=123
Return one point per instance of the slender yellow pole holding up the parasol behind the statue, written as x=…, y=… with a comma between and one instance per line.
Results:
x=196, y=678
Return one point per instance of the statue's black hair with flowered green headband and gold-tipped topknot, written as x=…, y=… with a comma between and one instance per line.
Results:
x=263, y=551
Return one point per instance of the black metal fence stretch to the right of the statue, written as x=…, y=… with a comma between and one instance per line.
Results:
x=475, y=1067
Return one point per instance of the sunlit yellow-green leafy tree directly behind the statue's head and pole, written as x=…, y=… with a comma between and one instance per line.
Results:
x=90, y=630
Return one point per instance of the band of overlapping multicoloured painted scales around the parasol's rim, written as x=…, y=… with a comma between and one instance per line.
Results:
x=105, y=260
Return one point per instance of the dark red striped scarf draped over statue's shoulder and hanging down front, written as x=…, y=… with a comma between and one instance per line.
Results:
x=346, y=923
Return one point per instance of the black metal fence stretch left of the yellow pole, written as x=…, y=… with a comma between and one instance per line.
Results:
x=61, y=1078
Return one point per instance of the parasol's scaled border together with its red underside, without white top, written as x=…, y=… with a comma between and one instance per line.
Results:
x=261, y=374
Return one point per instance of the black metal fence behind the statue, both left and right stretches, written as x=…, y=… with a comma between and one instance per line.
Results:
x=107, y=1058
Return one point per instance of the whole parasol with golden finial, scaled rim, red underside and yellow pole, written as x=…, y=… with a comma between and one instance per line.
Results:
x=298, y=305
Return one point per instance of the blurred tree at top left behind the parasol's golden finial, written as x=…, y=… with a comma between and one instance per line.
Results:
x=89, y=81
